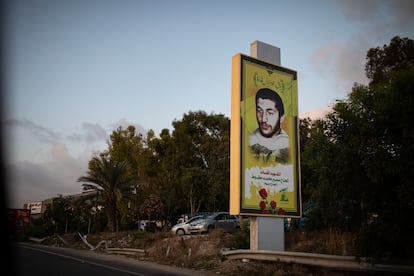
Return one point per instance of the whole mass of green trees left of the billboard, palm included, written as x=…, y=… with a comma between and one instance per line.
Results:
x=185, y=170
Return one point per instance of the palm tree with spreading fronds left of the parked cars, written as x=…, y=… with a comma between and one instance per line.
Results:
x=109, y=178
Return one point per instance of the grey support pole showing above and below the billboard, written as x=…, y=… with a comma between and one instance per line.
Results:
x=266, y=233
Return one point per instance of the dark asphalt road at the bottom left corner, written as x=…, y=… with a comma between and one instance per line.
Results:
x=38, y=260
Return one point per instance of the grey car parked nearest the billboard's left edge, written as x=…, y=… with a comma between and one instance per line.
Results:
x=219, y=220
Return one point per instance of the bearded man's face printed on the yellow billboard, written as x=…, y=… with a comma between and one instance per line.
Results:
x=267, y=117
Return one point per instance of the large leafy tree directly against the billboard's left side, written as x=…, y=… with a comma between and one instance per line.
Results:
x=202, y=158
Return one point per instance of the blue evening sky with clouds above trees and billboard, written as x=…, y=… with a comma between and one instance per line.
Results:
x=74, y=71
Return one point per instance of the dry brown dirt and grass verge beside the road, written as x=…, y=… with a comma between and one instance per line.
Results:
x=203, y=252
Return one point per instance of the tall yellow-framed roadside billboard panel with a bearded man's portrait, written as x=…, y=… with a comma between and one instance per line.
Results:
x=264, y=140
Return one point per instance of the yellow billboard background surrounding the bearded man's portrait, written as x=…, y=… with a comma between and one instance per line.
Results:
x=280, y=181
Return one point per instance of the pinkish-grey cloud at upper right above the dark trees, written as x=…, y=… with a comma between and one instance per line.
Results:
x=378, y=22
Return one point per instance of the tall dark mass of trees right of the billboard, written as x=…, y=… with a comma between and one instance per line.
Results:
x=360, y=156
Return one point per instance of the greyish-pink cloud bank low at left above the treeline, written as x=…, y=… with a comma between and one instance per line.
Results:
x=65, y=160
